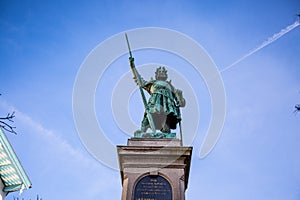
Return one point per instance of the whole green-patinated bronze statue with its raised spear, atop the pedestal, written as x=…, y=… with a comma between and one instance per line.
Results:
x=162, y=111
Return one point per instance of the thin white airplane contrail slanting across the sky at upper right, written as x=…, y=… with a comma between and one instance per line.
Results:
x=267, y=42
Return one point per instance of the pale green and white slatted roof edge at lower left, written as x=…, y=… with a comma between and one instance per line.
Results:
x=12, y=173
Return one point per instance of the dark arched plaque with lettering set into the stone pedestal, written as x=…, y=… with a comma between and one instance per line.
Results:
x=153, y=188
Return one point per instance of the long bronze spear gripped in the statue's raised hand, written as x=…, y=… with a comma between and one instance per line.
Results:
x=139, y=81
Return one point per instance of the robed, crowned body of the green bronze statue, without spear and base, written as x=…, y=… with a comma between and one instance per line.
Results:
x=163, y=103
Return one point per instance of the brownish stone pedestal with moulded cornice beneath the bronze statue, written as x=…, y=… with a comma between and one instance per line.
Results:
x=154, y=169
